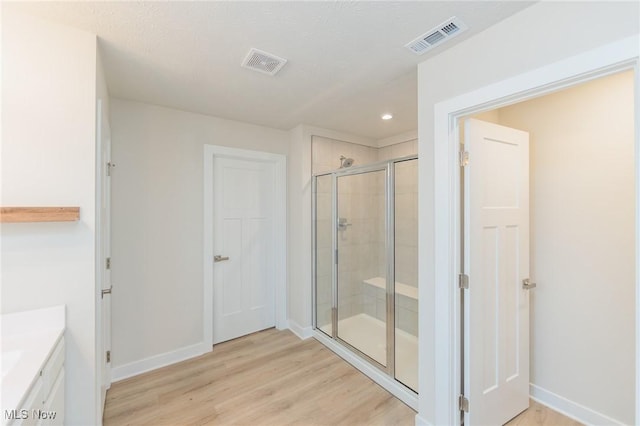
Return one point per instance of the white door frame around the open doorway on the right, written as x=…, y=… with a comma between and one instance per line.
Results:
x=612, y=58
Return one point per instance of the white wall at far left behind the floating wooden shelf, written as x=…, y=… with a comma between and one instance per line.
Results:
x=48, y=159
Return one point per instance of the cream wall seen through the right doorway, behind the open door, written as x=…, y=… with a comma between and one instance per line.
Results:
x=582, y=242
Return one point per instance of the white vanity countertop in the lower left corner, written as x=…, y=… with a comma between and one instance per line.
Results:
x=28, y=338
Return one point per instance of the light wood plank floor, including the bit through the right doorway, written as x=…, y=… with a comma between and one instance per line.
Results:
x=269, y=378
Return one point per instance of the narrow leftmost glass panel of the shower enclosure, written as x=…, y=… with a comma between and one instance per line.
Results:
x=323, y=254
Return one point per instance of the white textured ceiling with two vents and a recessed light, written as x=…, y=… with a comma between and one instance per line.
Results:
x=347, y=60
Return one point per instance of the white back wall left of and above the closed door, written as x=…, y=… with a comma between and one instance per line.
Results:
x=157, y=208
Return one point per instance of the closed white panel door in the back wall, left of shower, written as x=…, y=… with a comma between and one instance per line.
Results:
x=243, y=284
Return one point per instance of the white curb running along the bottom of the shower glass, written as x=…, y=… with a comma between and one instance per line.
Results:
x=380, y=377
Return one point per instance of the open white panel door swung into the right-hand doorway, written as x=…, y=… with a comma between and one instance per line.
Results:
x=496, y=245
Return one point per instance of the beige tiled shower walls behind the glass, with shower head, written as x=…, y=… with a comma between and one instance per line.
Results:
x=362, y=251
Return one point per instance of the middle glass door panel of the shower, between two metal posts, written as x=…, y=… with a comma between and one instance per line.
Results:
x=362, y=307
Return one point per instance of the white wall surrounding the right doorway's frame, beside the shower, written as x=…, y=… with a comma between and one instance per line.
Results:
x=541, y=34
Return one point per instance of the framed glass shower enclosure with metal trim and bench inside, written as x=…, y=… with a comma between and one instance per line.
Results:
x=365, y=264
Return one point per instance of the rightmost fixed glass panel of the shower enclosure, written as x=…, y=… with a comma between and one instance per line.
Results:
x=406, y=271
